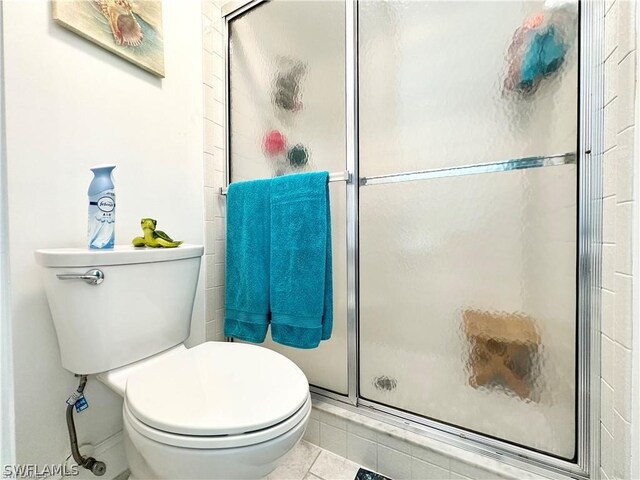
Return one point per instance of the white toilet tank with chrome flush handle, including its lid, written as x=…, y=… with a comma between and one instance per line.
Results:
x=141, y=307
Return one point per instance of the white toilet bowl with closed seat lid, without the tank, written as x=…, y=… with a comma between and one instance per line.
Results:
x=185, y=419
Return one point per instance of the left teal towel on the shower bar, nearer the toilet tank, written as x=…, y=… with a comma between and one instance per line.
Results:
x=247, y=271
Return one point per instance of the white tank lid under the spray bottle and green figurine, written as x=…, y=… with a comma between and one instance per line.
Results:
x=119, y=255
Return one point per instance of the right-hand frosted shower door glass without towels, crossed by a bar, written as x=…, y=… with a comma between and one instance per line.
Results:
x=468, y=215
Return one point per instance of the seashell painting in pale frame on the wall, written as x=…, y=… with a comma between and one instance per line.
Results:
x=132, y=29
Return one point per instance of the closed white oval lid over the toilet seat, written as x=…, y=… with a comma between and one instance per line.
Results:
x=217, y=388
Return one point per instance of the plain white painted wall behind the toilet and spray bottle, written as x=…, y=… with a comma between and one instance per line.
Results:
x=70, y=105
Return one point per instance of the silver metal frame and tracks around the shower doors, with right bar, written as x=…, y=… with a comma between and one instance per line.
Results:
x=588, y=159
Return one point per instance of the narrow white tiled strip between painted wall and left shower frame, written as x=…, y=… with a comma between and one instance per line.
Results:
x=214, y=166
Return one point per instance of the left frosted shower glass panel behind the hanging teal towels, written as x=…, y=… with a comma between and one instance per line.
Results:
x=287, y=115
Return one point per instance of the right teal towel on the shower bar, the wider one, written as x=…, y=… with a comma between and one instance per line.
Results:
x=301, y=277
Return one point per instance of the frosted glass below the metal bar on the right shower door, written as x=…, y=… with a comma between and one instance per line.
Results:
x=467, y=302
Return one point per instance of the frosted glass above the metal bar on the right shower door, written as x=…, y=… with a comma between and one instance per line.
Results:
x=436, y=75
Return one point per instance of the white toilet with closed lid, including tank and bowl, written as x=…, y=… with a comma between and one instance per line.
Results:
x=218, y=410
